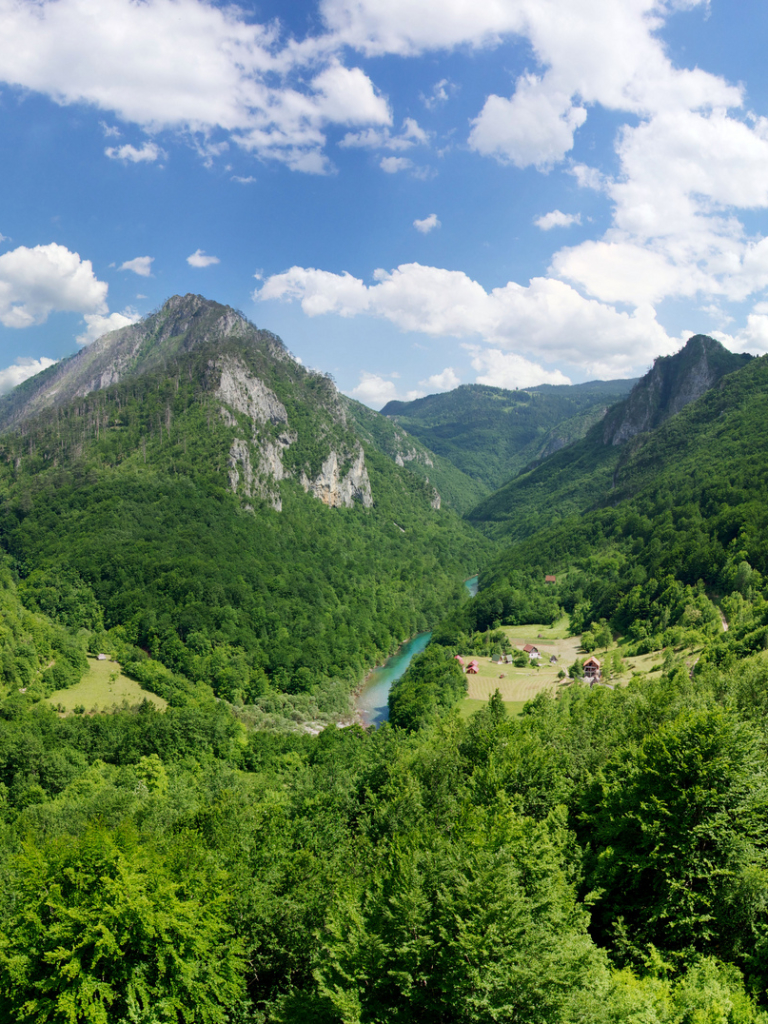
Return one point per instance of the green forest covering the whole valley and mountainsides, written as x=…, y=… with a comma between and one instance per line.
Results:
x=245, y=850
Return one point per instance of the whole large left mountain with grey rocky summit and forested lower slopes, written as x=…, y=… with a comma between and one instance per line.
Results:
x=225, y=507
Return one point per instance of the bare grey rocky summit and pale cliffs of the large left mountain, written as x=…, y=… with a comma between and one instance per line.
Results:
x=234, y=356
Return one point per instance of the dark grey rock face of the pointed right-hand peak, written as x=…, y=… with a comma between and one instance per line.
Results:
x=671, y=385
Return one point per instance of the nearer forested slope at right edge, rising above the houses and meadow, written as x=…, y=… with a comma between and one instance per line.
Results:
x=685, y=515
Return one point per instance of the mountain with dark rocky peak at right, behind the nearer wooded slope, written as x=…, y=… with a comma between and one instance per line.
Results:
x=584, y=475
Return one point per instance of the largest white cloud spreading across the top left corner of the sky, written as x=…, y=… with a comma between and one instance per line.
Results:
x=191, y=67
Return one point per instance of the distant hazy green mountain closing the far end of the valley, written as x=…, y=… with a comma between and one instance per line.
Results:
x=492, y=434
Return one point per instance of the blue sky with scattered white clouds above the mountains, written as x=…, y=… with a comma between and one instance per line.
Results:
x=413, y=194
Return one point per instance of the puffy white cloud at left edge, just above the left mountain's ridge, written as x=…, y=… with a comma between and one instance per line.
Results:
x=36, y=282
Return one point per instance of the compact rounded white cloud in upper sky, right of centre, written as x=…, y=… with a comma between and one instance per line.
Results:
x=536, y=126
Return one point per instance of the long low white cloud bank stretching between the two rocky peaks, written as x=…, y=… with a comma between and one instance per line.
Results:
x=548, y=318
